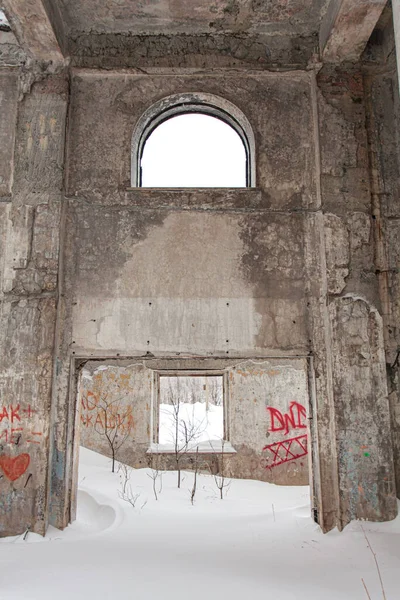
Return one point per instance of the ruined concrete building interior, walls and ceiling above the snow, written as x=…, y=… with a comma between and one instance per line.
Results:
x=274, y=299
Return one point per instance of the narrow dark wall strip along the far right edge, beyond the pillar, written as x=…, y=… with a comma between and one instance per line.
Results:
x=383, y=106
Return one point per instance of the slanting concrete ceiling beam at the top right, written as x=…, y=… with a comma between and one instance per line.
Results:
x=347, y=27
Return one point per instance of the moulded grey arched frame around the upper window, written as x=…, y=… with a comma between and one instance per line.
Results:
x=192, y=102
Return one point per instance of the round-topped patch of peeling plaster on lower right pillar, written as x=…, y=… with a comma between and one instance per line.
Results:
x=366, y=478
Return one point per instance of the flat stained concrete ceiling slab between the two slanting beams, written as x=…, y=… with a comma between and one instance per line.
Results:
x=138, y=17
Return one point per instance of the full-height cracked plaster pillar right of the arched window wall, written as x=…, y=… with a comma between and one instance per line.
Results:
x=351, y=272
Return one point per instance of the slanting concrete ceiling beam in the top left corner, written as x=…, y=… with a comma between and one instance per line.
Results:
x=33, y=29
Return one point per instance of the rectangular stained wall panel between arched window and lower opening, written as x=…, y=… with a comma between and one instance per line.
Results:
x=180, y=281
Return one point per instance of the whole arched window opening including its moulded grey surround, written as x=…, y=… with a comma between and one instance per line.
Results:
x=193, y=140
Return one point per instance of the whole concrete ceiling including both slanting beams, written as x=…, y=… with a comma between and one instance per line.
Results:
x=142, y=34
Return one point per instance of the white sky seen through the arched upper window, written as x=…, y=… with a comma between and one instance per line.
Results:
x=194, y=150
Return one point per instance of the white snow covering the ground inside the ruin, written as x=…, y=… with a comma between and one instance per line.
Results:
x=259, y=542
